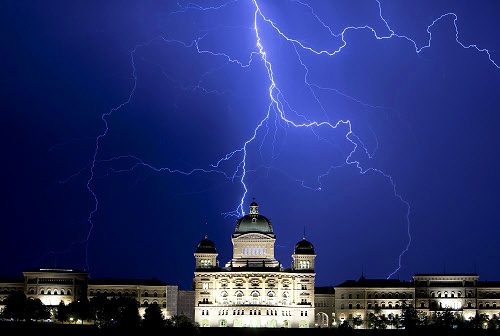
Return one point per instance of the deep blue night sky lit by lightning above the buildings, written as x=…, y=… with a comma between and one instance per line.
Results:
x=183, y=85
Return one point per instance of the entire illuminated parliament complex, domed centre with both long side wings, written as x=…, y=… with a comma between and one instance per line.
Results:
x=253, y=289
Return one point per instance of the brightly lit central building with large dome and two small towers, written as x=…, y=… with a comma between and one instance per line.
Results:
x=253, y=289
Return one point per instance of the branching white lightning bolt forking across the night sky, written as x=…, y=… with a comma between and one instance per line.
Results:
x=277, y=107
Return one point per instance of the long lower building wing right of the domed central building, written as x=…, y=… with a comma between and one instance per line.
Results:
x=429, y=294
